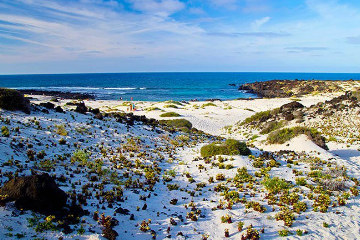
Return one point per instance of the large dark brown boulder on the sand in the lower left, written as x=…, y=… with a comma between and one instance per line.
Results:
x=37, y=192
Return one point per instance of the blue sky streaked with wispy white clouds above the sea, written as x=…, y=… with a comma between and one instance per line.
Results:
x=85, y=36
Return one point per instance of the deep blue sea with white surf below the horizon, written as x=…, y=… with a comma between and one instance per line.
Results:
x=158, y=86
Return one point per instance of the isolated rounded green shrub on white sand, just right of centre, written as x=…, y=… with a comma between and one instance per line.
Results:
x=230, y=147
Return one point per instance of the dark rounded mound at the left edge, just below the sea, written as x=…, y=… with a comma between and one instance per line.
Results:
x=13, y=100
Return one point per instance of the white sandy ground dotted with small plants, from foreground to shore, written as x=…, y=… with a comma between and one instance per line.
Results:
x=185, y=197
